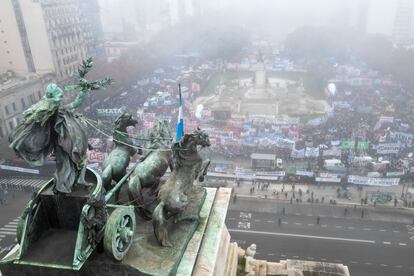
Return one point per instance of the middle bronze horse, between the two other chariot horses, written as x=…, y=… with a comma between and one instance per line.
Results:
x=144, y=184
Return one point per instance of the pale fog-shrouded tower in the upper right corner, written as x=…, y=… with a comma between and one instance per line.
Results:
x=403, y=22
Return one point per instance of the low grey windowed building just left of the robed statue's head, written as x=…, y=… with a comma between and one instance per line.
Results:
x=17, y=93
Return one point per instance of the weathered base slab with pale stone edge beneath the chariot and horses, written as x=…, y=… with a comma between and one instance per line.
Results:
x=196, y=249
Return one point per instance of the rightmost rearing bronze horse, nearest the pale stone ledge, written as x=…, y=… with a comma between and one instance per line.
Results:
x=173, y=194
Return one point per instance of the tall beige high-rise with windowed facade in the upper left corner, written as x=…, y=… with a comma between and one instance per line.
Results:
x=44, y=36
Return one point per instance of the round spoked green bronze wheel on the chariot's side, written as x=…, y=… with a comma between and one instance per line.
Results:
x=119, y=232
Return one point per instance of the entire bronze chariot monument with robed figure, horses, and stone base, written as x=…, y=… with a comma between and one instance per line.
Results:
x=74, y=226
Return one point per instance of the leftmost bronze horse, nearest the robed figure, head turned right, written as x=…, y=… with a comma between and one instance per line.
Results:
x=115, y=165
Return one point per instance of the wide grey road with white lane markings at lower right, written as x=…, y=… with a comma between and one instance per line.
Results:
x=367, y=247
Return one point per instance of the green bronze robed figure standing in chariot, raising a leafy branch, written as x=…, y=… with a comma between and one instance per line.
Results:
x=51, y=127
